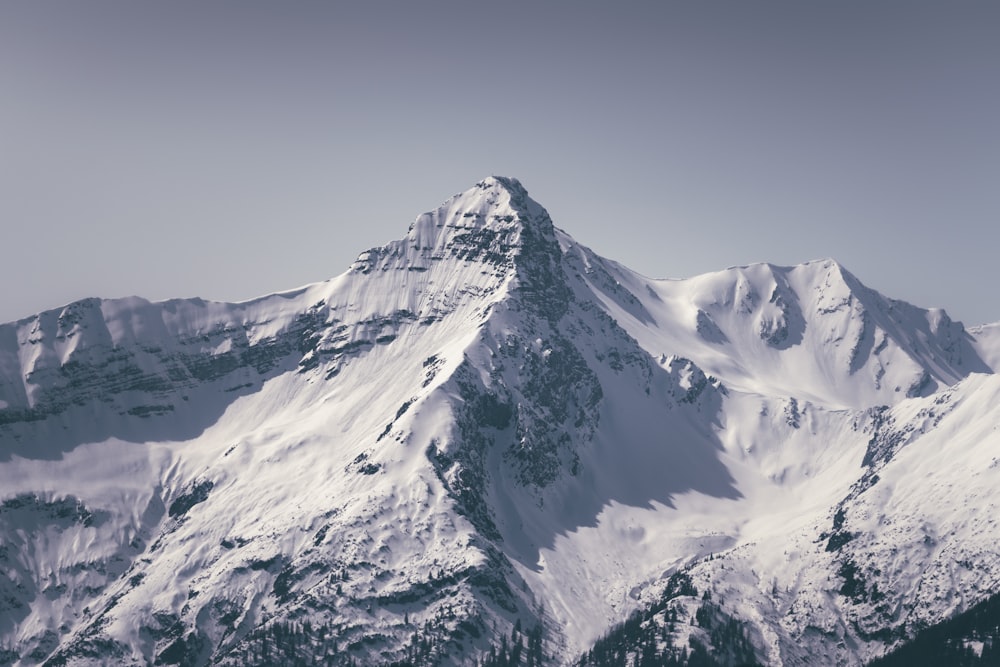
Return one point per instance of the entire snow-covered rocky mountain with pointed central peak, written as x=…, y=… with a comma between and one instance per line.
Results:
x=485, y=441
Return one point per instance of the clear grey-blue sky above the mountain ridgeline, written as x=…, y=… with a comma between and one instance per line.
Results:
x=228, y=149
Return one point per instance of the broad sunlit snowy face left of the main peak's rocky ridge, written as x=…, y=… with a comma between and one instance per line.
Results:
x=277, y=459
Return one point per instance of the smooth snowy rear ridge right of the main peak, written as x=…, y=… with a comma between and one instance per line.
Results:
x=811, y=331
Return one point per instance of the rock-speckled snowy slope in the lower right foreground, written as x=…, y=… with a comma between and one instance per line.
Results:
x=912, y=541
